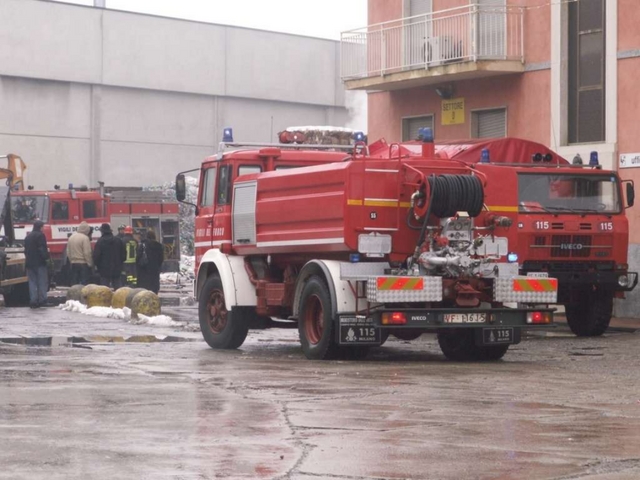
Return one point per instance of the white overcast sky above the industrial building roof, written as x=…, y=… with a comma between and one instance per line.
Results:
x=317, y=19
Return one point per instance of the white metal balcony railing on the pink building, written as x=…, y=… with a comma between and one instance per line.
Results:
x=465, y=34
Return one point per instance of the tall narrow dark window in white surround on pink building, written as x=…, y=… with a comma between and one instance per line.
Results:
x=586, y=91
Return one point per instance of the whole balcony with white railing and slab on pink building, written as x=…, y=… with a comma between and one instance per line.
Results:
x=461, y=43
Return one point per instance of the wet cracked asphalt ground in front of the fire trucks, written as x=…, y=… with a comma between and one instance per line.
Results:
x=107, y=399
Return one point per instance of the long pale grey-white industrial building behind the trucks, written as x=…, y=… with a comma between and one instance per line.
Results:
x=90, y=94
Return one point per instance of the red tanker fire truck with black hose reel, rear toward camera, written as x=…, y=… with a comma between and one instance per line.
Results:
x=350, y=248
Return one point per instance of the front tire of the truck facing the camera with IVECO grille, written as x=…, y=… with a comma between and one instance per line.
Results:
x=592, y=316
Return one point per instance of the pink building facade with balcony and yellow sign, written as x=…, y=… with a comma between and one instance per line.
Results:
x=561, y=73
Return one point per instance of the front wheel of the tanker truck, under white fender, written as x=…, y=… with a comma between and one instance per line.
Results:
x=221, y=328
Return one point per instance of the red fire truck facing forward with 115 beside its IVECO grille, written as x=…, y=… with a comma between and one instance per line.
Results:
x=569, y=220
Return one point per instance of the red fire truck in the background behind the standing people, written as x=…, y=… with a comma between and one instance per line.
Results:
x=63, y=210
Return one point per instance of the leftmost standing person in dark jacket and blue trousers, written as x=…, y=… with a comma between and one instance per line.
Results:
x=37, y=255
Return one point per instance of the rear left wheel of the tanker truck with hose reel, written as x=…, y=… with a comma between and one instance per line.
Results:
x=315, y=322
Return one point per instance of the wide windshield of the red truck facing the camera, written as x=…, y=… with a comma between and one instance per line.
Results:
x=567, y=193
